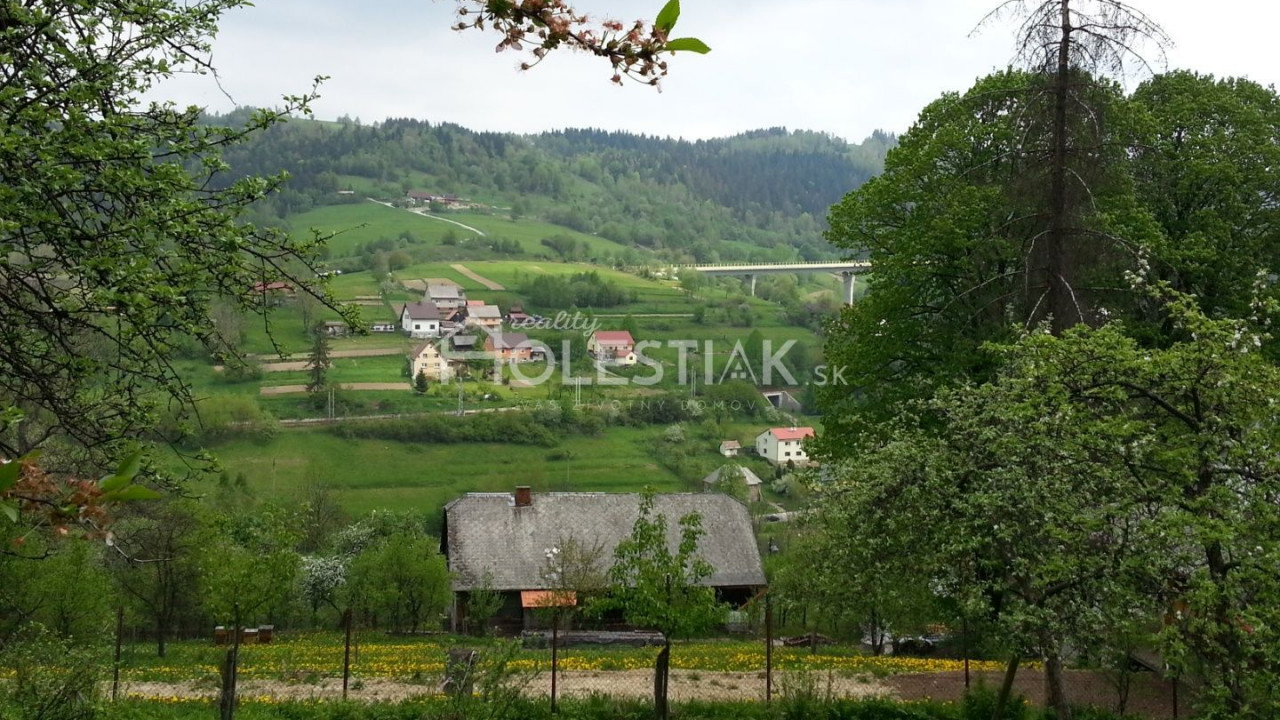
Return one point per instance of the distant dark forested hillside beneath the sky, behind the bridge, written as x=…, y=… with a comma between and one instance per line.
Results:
x=756, y=197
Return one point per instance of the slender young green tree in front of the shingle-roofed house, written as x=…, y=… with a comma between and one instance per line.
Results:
x=661, y=590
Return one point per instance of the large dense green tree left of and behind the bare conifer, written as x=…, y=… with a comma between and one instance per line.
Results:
x=950, y=235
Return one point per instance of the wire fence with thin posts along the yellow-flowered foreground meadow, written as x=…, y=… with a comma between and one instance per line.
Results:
x=559, y=663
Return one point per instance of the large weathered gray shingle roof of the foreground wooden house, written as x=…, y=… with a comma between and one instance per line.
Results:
x=486, y=532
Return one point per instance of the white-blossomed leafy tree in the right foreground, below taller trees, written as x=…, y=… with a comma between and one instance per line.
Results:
x=1095, y=481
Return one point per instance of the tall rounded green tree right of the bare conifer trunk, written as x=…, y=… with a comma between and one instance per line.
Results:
x=1205, y=171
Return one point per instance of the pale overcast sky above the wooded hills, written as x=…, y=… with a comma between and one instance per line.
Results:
x=844, y=67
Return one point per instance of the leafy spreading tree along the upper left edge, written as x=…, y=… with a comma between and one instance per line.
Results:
x=120, y=231
